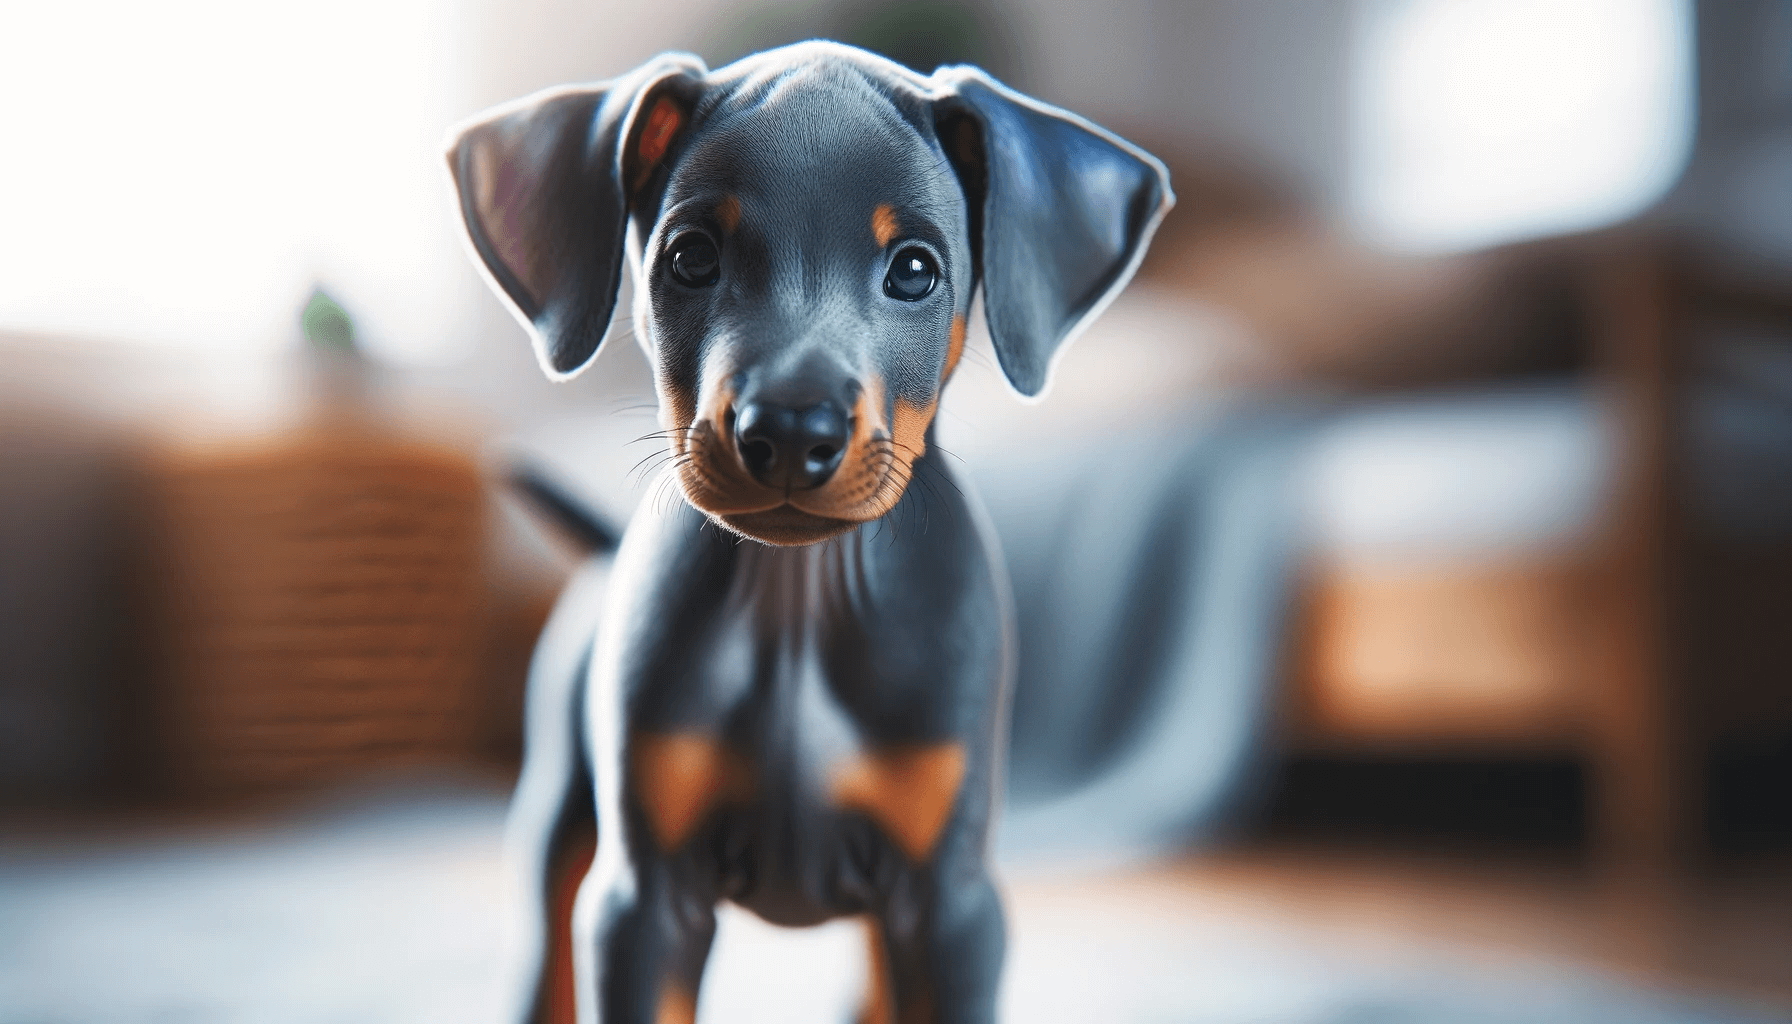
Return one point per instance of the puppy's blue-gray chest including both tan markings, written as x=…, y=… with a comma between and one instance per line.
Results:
x=795, y=707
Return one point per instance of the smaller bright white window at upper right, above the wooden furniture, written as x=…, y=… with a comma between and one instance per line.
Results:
x=1492, y=121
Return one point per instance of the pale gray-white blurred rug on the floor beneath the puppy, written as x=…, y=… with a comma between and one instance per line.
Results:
x=392, y=912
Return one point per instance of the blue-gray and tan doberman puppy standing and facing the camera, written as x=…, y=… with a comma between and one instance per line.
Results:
x=798, y=684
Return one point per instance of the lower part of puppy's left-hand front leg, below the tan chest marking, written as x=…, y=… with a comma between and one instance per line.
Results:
x=642, y=941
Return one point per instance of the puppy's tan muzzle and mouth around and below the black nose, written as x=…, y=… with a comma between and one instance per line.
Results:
x=872, y=478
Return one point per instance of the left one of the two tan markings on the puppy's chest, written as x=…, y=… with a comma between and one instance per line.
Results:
x=682, y=777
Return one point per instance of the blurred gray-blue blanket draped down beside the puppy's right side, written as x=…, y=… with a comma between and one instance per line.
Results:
x=1151, y=578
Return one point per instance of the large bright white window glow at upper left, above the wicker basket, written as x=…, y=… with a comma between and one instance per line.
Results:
x=184, y=173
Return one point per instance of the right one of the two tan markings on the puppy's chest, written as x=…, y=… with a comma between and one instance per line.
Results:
x=908, y=790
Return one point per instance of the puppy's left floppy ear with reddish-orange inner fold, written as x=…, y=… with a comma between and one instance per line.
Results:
x=546, y=189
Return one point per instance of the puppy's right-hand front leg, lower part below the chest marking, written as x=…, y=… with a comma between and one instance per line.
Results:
x=943, y=939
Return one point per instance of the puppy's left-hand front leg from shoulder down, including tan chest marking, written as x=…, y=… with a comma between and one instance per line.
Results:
x=646, y=914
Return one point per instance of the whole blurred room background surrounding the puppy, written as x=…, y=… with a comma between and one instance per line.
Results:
x=1404, y=562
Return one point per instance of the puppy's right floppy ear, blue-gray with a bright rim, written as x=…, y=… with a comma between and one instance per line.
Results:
x=1062, y=213
